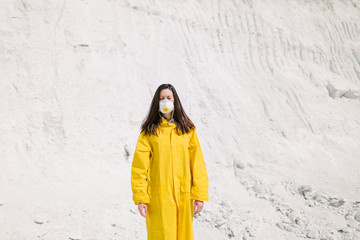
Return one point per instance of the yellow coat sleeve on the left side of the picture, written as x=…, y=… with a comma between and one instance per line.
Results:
x=139, y=170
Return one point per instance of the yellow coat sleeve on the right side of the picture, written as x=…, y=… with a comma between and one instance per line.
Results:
x=200, y=182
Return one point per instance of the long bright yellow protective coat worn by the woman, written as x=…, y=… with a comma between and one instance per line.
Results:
x=168, y=172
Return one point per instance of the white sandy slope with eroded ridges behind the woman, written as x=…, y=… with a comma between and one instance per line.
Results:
x=272, y=86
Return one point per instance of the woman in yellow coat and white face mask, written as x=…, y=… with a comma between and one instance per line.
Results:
x=169, y=180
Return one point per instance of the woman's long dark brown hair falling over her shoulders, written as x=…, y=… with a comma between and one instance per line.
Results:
x=151, y=123
